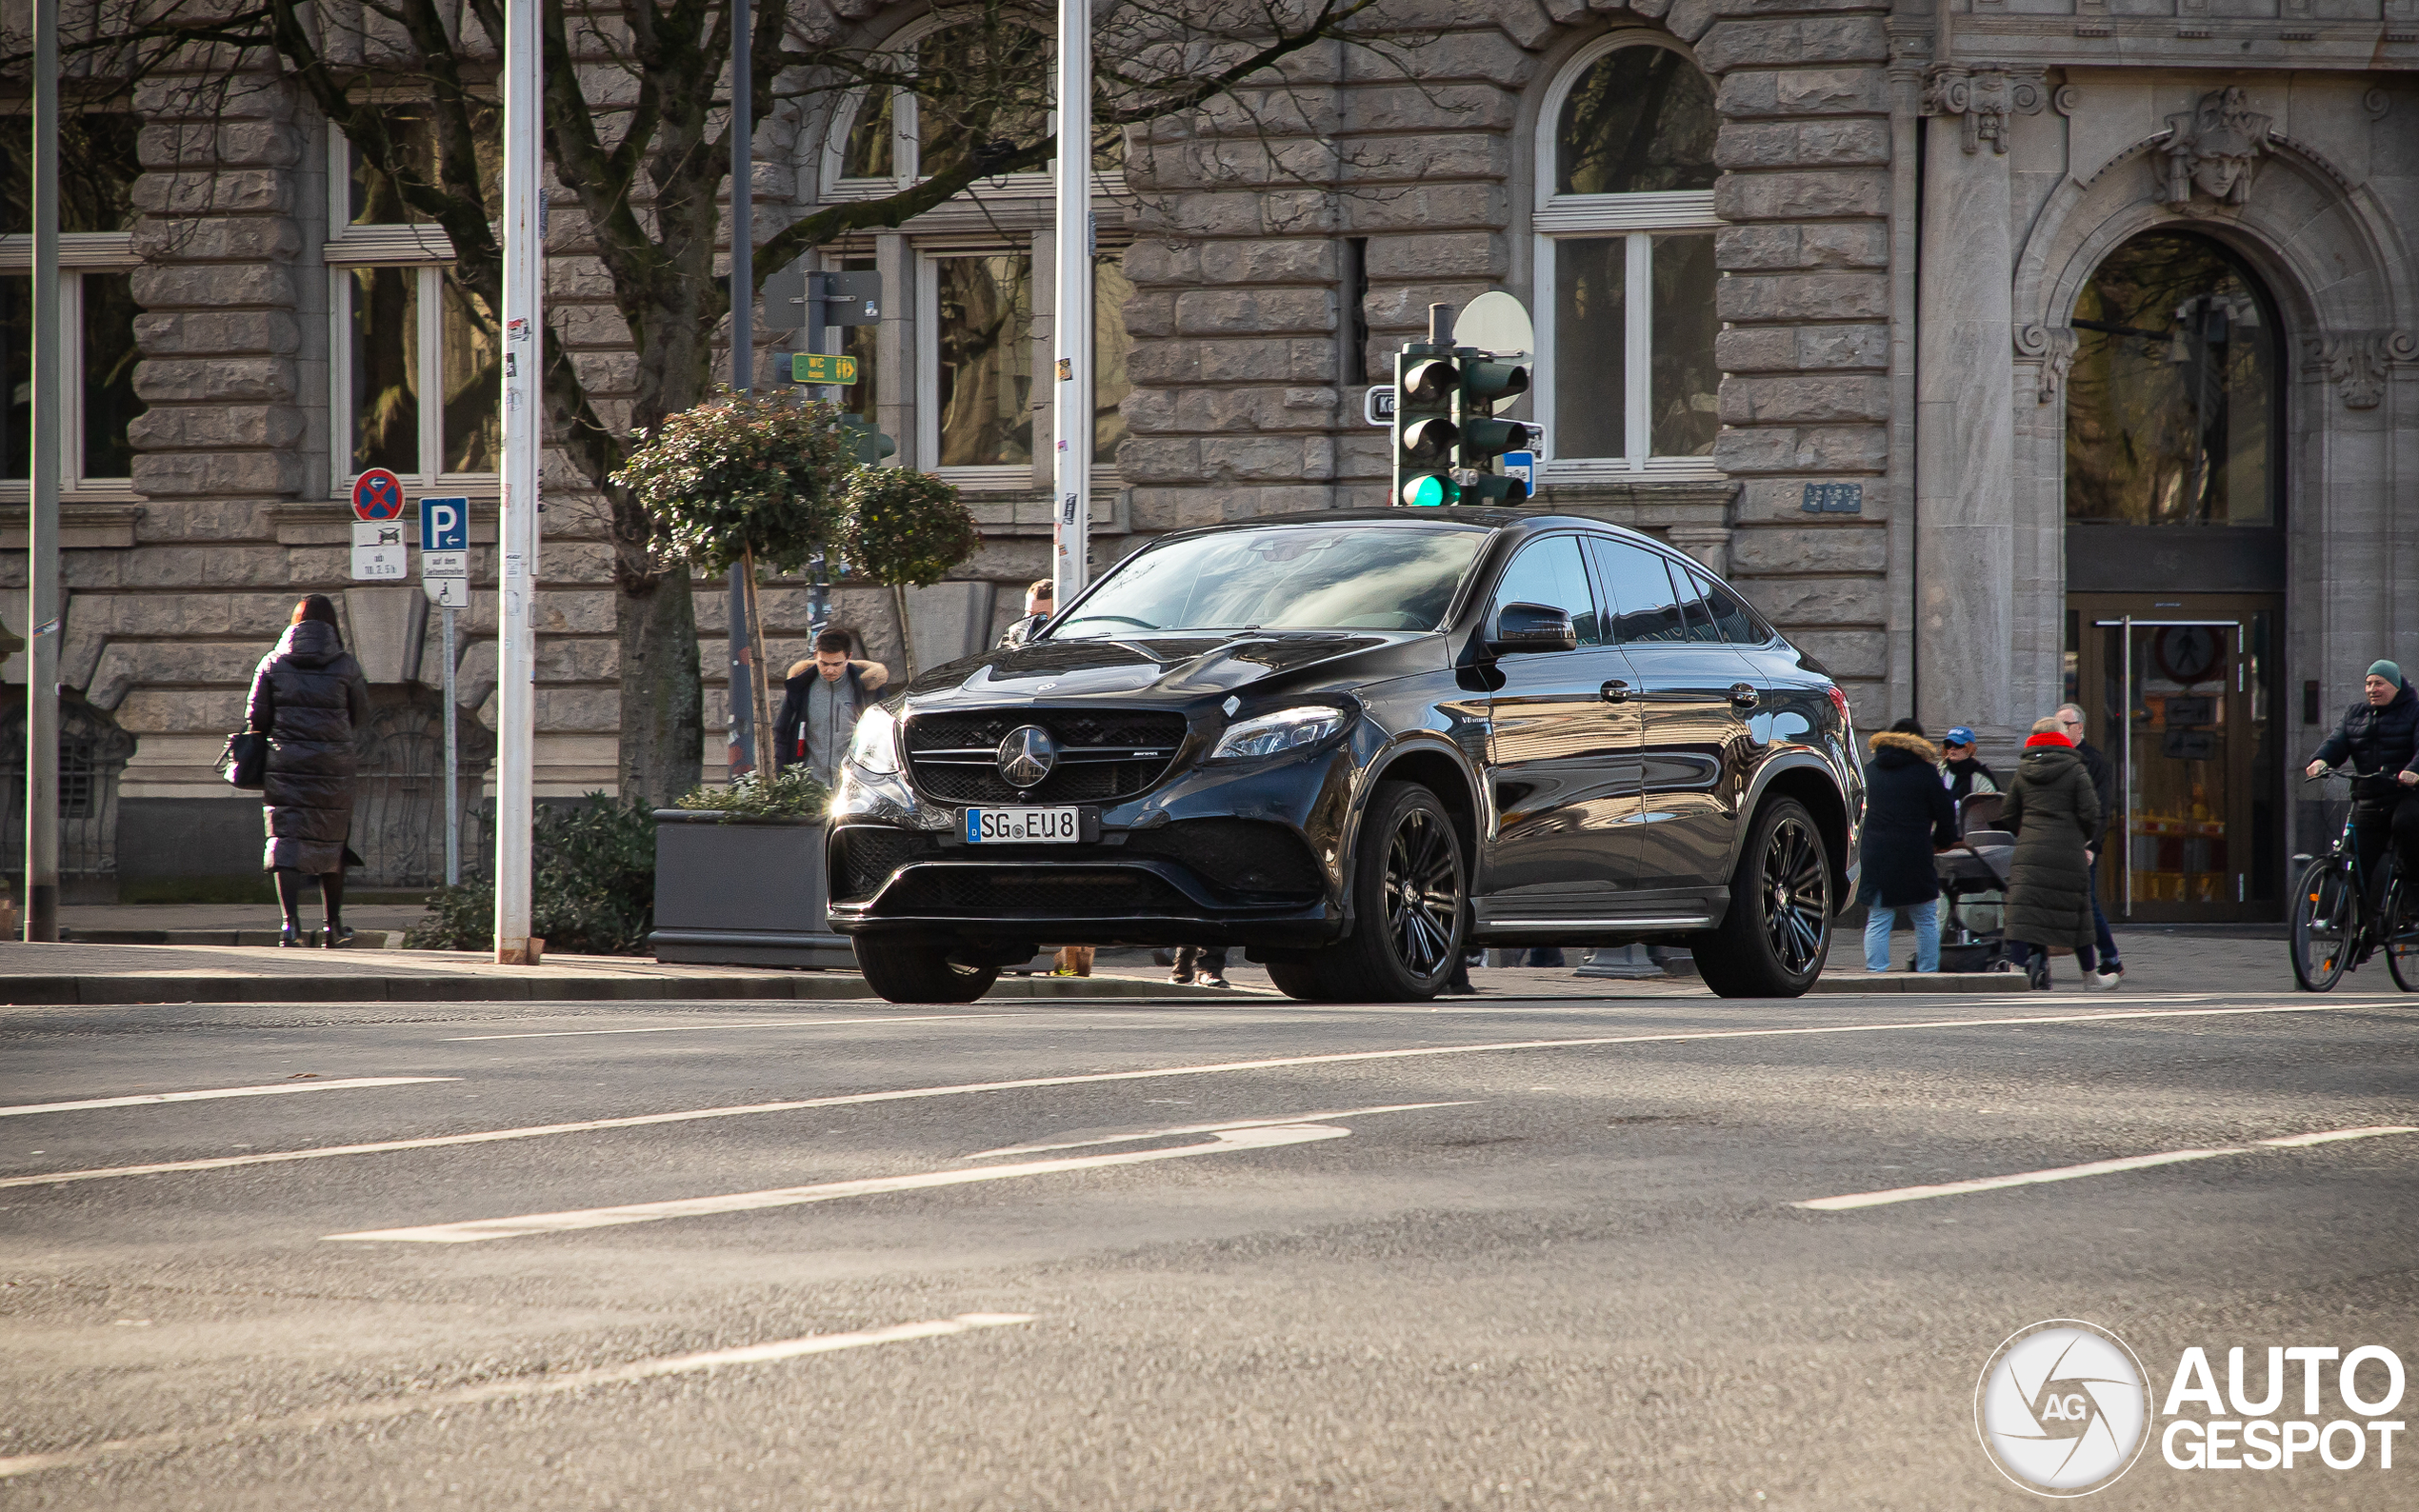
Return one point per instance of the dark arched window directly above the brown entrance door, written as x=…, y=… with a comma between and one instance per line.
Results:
x=2171, y=408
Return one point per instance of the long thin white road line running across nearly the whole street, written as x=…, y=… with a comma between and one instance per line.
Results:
x=858, y=1100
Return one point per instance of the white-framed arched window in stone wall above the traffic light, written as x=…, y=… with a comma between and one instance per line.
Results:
x=1624, y=262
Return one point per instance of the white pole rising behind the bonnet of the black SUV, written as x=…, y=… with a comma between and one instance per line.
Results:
x=1073, y=420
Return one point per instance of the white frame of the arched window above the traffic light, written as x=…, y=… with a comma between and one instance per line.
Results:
x=1636, y=219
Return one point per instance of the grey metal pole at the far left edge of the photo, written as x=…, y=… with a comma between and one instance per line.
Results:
x=42, y=630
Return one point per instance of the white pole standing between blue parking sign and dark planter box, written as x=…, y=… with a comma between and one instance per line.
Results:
x=524, y=354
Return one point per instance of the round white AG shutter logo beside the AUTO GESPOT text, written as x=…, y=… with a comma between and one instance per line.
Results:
x=2062, y=1409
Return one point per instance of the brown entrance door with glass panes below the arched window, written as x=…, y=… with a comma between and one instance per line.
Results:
x=2178, y=693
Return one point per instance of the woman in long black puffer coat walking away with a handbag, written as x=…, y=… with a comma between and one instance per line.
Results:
x=308, y=698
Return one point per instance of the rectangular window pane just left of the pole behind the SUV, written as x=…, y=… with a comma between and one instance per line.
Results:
x=983, y=362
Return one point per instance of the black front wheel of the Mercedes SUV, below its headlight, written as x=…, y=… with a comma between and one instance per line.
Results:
x=1409, y=908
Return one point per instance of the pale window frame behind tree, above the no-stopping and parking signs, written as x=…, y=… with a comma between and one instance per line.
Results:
x=427, y=250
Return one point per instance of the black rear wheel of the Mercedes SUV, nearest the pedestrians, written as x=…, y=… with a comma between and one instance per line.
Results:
x=1779, y=928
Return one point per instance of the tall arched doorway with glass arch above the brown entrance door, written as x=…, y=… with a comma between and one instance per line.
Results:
x=2176, y=572
